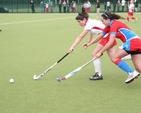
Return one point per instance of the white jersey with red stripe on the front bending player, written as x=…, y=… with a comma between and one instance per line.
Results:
x=94, y=26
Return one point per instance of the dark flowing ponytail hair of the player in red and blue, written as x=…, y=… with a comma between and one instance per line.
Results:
x=111, y=16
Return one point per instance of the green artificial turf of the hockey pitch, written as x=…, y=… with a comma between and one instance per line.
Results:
x=31, y=43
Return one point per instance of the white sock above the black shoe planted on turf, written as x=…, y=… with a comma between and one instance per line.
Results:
x=97, y=66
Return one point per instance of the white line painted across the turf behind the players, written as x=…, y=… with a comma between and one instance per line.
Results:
x=22, y=22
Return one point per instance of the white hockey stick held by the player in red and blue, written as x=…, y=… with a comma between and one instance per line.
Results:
x=73, y=72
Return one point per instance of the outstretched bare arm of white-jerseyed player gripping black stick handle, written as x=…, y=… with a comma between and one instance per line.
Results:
x=78, y=40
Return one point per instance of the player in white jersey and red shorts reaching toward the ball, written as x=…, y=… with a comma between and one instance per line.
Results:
x=94, y=27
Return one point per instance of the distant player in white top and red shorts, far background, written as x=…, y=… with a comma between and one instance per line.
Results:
x=130, y=13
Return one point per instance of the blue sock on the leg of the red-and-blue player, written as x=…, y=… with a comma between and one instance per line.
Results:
x=125, y=67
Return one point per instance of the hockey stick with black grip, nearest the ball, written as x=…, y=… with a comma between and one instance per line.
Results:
x=35, y=77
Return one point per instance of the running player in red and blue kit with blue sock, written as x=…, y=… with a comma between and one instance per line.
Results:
x=131, y=44
